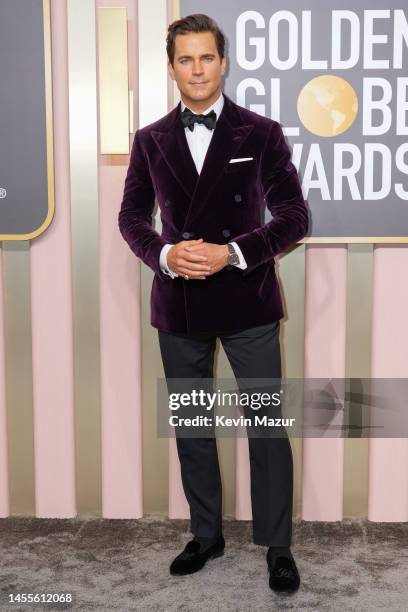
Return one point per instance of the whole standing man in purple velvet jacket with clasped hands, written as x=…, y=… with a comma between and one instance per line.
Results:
x=213, y=166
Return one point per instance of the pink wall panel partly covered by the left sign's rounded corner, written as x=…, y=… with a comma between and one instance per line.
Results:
x=51, y=304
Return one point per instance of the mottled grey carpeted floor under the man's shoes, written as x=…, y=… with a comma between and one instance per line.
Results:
x=123, y=565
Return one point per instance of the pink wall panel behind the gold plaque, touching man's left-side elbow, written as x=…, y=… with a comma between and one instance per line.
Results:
x=120, y=334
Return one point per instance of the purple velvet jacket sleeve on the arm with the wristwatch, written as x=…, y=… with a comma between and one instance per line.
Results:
x=283, y=196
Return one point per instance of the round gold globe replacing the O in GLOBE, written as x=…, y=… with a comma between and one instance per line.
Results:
x=327, y=105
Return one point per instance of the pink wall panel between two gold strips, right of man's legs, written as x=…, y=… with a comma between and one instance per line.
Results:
x=325, y=342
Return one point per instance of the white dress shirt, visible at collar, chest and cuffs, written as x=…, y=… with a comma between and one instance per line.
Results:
x=198, y=141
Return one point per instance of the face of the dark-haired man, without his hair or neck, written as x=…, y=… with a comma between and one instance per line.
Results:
x=198, y=69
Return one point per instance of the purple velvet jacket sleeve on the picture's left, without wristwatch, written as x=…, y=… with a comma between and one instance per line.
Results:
x=135, y=215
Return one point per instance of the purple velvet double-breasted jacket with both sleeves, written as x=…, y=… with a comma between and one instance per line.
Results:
x=224, y=203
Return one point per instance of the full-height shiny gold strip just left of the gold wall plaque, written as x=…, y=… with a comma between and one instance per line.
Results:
x=83, y=134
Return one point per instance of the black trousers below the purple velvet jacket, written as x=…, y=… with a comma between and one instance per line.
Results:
x=252, y=353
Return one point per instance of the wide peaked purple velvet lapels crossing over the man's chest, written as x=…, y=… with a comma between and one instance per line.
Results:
x=229, y=134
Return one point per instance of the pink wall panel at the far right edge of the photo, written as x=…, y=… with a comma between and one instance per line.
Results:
x=388, y=474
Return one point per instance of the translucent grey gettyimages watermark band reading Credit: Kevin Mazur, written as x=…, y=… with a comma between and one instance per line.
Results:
x=259, y=407
